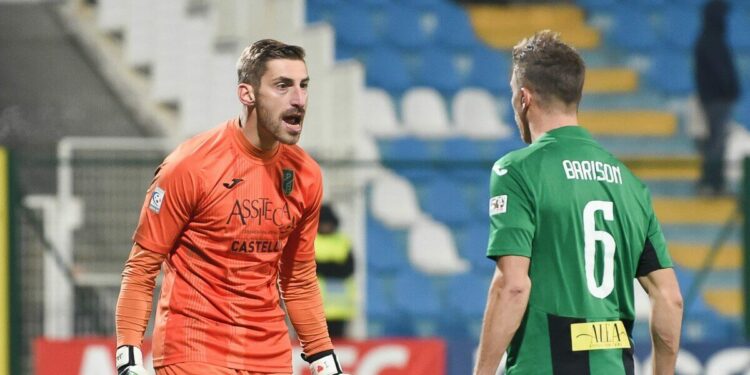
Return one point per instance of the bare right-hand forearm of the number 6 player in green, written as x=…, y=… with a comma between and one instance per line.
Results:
x=666, y=317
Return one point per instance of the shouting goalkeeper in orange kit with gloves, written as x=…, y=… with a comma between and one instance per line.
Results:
x=231, y=216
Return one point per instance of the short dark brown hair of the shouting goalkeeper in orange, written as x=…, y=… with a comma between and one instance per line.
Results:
x=252, y=62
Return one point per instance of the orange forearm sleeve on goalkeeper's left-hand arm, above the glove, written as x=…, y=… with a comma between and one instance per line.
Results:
x=136, y=295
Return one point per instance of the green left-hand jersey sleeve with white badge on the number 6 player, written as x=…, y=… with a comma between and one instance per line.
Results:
x=511, y=213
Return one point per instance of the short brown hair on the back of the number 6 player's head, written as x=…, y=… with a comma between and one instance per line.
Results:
x=550, y=67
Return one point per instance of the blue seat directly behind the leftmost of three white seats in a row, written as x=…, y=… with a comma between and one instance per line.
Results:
x=387, y=69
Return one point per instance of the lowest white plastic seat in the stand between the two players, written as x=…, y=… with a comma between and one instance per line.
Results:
x=432, y=249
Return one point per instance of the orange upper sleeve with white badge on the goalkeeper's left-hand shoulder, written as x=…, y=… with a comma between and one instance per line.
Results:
x=169, y=203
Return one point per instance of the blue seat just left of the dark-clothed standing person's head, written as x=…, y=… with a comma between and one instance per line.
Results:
x=680, y=26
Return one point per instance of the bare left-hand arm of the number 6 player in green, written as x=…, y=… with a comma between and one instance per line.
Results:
x=507, y=300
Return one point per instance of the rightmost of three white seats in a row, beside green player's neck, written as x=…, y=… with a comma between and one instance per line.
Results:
x=475, y=115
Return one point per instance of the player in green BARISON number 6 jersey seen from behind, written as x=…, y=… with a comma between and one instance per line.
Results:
x=570, y=228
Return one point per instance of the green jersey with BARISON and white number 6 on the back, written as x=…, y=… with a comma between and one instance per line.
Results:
x=588, y=227
